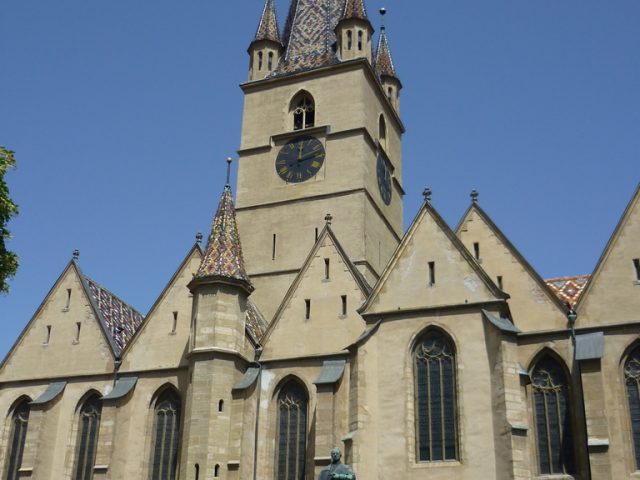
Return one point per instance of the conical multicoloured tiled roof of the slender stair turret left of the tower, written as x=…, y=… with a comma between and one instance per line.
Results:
x=223, y=255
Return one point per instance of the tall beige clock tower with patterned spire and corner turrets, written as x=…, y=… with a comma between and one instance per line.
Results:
x=319, y=135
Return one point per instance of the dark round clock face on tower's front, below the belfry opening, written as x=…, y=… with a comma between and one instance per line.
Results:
x=300, y=159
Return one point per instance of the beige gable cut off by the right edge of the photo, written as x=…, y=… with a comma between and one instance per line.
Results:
x=613, y=293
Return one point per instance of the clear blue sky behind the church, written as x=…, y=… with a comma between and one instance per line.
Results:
x=121, y=115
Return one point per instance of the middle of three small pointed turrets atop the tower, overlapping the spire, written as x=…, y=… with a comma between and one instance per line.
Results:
x=354, y=32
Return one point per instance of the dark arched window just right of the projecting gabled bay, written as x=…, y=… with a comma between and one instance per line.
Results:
x=552, y=412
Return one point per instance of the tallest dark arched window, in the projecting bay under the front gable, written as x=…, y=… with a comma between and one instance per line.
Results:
x=435, y=398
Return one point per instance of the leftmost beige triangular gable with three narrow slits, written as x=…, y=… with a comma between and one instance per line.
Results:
x=64, y=338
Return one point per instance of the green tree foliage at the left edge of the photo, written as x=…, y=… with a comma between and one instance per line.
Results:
x=8, y=260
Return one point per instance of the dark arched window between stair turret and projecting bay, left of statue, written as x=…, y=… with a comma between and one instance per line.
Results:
x=292, y=432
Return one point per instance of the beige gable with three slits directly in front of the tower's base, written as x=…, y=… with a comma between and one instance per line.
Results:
x=327, y=329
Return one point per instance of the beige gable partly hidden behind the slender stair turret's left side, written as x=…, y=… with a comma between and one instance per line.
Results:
x=163, y=338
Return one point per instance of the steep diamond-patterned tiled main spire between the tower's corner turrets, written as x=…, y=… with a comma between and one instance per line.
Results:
x=309, y=35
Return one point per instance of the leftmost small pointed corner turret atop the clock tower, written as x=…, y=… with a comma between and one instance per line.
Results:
x=266, y=48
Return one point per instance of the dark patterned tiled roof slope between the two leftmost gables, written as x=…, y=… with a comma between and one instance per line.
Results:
x=121, y=320
